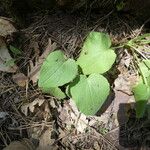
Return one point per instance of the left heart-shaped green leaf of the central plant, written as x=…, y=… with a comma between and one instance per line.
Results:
x=57, y=70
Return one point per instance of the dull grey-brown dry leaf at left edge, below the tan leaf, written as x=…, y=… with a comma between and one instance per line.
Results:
x=6, y=61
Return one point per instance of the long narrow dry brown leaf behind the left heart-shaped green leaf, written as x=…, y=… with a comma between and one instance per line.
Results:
x=34, y=69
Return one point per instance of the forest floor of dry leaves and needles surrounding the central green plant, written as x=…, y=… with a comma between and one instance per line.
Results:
x=40, y=121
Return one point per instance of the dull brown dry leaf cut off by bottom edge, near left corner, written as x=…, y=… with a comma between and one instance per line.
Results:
x=25, y=144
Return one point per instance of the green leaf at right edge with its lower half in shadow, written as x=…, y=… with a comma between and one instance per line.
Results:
x=142, y=95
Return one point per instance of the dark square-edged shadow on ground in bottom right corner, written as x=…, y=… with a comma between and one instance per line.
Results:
x=134, y=133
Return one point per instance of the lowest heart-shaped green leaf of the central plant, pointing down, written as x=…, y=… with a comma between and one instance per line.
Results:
x=89, y=93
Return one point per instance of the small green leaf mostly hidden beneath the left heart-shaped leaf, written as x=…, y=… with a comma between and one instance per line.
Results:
x=55, y=92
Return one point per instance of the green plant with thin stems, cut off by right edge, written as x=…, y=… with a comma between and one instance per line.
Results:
x=141, y=90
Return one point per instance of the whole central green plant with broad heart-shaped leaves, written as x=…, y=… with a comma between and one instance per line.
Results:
x=81, y=79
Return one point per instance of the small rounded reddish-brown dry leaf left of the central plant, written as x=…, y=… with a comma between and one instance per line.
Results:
x=20, y=79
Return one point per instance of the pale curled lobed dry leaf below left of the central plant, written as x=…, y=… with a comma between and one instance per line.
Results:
x=31, y=106
